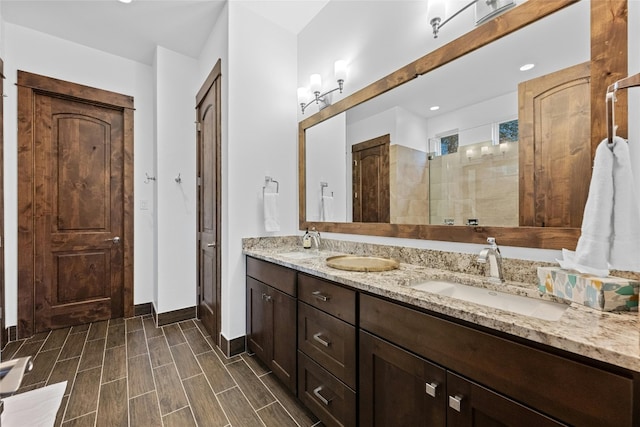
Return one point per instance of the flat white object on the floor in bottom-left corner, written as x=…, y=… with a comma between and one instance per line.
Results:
x=35, y=408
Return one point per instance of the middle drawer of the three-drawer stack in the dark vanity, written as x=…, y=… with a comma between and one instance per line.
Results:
x=329, y=341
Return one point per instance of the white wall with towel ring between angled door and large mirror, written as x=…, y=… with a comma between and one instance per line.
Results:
x=261, y=140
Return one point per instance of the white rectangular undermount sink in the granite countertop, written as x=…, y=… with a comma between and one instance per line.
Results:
x=545, y=310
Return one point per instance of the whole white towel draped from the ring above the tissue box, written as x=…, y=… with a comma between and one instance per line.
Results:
x=610, y=234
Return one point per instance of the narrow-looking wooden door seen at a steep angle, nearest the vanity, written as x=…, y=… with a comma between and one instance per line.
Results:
x=208, y=118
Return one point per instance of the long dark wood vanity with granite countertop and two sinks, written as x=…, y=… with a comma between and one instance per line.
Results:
x=419, y=345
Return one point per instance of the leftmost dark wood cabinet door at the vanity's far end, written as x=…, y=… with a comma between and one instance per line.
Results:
x=259, y=325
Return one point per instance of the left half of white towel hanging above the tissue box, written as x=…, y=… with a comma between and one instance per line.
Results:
x=594, y=244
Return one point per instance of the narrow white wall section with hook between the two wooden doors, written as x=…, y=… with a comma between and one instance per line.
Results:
x=176, y=86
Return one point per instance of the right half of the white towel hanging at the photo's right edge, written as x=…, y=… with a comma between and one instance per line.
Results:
x=625, y=239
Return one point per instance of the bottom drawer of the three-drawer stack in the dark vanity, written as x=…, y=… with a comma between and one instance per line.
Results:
x=328, y=398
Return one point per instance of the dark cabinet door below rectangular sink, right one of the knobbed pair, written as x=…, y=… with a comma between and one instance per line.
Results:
x=470, y=404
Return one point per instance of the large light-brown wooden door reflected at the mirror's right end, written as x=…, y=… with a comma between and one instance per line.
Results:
x=555, y=177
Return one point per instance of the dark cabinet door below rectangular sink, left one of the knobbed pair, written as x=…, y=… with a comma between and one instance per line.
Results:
x=398, y=388
